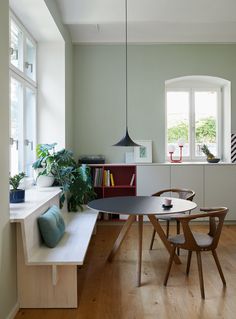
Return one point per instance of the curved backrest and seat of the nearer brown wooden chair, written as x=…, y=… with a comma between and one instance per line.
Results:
x=216, y=220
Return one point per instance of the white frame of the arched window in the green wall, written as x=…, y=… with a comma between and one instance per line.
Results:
x=219, y=139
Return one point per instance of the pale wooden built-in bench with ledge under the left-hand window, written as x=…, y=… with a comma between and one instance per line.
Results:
x=47, y=277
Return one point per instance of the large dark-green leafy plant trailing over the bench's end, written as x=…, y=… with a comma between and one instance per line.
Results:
x=74, y=180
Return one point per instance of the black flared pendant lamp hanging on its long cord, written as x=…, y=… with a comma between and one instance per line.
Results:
x=126, y=140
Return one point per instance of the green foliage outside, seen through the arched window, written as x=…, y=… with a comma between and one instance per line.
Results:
x=205, y=131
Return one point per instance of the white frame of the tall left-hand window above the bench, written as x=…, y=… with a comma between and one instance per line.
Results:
x=25, y=81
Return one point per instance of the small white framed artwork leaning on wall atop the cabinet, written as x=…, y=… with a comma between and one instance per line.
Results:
x=143, y=153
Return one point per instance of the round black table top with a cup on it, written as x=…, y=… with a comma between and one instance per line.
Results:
x=140, y=205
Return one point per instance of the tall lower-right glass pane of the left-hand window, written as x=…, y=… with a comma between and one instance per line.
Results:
x=30, y=129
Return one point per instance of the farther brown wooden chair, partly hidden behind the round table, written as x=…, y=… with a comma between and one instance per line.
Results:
x=180, y=193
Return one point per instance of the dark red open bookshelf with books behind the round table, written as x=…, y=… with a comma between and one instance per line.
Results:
x=111, y=180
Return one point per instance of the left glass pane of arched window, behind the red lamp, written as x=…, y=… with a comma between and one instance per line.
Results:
x=178, y=120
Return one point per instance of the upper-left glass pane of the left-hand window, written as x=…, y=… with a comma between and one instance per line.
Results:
x=16, y=47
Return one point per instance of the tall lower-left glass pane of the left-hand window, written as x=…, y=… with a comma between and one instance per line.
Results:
x=16, y=127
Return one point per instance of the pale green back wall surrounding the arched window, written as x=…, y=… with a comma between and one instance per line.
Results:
x=99, y=74
